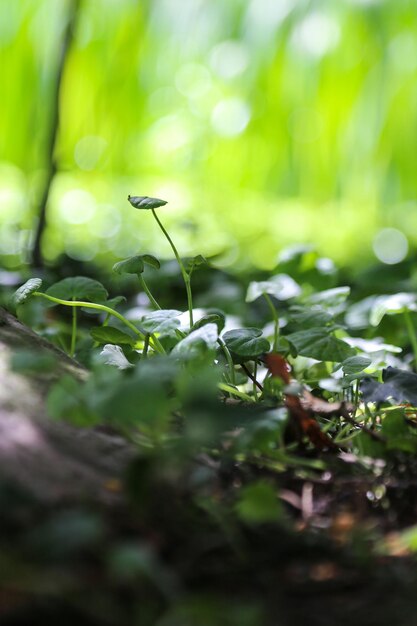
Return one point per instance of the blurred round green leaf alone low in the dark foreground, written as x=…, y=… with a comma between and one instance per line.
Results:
x=258, y=503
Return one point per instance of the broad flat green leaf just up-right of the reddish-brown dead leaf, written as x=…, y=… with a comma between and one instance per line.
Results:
x=317, y=343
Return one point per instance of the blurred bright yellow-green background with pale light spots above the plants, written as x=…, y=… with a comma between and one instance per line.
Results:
x=264, y=123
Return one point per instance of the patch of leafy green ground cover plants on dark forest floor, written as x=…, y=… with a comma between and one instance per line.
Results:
x=275, y=432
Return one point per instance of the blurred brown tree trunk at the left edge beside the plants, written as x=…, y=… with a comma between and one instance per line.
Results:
x=52, y=460
